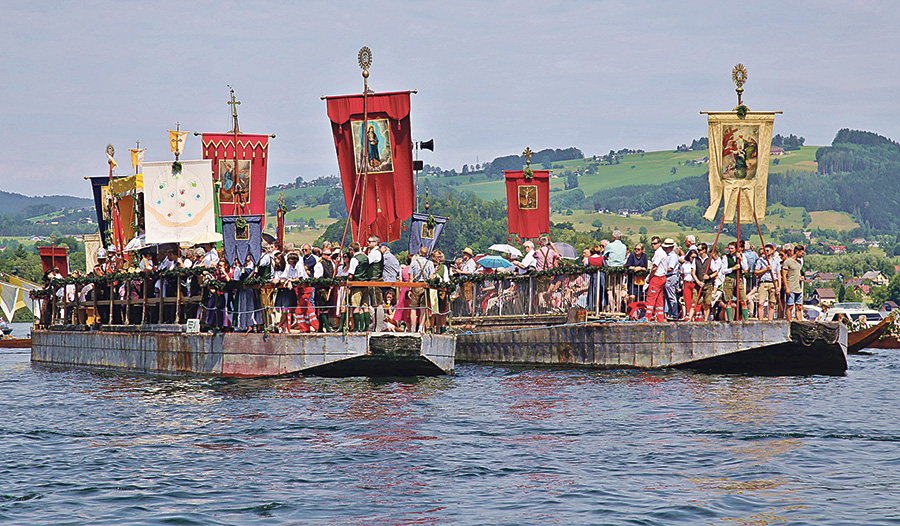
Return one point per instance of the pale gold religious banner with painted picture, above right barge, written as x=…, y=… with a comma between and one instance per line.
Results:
x=739, y=163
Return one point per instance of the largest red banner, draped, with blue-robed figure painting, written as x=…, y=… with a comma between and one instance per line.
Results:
x=374, y=150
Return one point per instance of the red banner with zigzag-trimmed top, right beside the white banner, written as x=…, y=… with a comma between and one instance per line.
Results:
x=239, y=171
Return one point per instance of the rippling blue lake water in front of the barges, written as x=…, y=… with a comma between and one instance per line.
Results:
x=489, y=446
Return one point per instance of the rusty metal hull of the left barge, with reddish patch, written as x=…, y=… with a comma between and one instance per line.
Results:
x=171, y=352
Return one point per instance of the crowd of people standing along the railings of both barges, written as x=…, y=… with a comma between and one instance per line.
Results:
x=666, y=282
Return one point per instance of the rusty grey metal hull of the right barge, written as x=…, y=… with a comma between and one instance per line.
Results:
x=760, y=348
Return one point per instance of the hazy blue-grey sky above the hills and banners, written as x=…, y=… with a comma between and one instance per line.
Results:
x=492, y=77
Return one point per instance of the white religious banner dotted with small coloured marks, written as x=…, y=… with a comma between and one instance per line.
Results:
x=178, y=201
